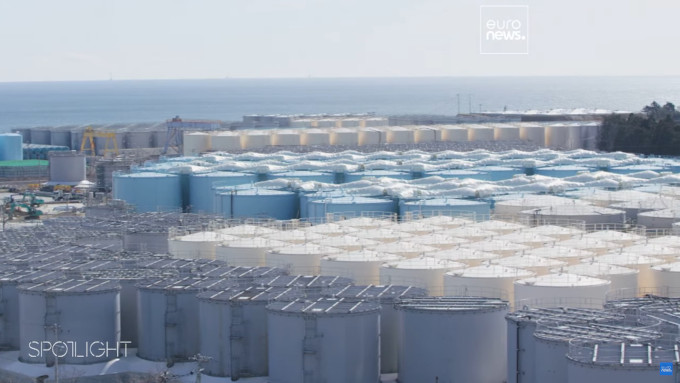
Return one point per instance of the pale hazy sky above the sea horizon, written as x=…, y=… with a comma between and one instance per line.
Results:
x=49, y=40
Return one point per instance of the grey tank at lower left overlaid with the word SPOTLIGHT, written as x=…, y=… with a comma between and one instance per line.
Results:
x=83, y=315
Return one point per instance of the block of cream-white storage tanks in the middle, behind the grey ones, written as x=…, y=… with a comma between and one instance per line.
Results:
x=452, y=256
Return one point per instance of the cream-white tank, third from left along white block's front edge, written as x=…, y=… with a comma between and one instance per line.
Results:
x=299, y=259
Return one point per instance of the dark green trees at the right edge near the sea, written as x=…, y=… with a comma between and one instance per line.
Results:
x=654, y=131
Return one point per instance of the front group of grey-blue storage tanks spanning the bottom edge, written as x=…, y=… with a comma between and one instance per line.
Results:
x=259, y=322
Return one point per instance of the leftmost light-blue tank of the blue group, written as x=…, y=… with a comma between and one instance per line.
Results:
x=149, y=191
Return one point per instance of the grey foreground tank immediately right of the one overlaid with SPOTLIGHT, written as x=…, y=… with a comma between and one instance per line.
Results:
x=168, y=313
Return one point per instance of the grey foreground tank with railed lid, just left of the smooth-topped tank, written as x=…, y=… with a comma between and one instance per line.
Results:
x=316, y=341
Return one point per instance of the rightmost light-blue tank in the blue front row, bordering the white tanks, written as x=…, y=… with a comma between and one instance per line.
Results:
x=444, y=206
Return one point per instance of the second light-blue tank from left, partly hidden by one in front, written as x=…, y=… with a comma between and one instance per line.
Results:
x=201, y=193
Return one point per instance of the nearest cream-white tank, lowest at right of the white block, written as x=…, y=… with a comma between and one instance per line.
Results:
x=561, y=289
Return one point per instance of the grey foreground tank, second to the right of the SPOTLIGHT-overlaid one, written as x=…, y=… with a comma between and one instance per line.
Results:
x=233, y=327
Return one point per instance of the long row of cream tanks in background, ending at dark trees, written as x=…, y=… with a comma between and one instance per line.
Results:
x=568, y=135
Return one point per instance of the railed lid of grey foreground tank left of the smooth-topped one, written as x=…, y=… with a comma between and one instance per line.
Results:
x=325, y=307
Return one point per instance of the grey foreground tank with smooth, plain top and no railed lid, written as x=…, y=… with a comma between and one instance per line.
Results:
x=452, y=340
